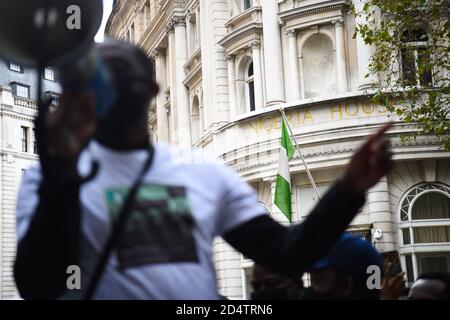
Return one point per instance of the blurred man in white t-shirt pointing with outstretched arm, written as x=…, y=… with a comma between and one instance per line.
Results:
x=183, y=202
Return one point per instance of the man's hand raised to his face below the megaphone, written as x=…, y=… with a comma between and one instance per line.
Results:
x=70, y=127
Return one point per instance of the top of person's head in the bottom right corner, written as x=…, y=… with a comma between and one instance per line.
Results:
x=431, y=286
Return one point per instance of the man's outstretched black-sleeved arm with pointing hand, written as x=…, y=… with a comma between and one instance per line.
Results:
x=292, y=250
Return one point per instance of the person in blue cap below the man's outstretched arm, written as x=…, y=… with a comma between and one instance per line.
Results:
x=342, y=273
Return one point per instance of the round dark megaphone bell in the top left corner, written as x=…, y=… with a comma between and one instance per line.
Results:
x=34, y=33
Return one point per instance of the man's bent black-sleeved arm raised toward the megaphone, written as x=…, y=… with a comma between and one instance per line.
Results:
x=48, y=207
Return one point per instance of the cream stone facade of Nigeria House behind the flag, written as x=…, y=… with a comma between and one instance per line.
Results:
x=225, y=67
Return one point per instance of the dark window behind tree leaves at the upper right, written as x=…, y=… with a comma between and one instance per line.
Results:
x=414, y=54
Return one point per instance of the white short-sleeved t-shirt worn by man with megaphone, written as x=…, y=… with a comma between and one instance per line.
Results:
x=184, y=202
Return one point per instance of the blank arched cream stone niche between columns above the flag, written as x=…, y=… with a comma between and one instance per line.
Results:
x=318, y=66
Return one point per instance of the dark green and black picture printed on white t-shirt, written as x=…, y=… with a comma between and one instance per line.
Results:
x=159, y=229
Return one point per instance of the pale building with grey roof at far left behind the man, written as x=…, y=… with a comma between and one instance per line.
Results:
x=18, y=107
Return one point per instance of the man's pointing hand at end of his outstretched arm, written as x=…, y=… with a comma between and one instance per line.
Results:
x=370, y=163
